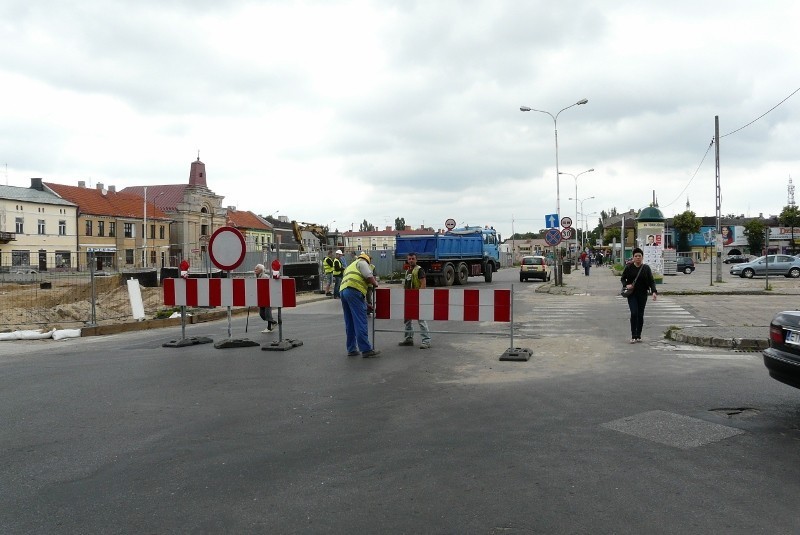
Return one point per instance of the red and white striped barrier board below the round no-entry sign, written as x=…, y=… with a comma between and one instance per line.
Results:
x=275, y=293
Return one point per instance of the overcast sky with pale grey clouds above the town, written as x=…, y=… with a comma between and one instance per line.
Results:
x=342, y=111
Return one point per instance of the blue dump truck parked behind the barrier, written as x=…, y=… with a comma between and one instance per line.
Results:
x=453, y=256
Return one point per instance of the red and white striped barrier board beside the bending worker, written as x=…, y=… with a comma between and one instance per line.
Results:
x=444, y=304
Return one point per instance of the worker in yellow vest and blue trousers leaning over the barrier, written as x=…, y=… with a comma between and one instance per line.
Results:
x=358, y=277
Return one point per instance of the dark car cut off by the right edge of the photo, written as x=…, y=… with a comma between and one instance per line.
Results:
x=782, y=357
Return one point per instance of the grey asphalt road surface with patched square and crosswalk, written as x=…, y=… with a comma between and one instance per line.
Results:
x=592, y=435
